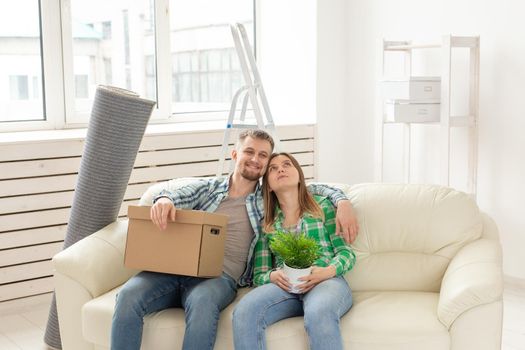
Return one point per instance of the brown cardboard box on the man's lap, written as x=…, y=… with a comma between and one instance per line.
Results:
x=193, y=245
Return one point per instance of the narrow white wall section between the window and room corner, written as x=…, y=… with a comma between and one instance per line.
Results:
x=287, y=61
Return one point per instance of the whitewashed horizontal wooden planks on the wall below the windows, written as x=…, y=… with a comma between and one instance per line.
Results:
x=37, y=180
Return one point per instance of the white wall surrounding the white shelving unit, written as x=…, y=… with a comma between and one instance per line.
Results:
x=349, y=67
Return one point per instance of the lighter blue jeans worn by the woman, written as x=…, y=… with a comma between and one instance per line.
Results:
x=322, y=308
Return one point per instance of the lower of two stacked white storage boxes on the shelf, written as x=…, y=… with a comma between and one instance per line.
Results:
x=404, y=111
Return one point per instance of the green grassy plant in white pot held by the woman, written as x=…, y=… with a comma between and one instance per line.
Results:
x=298, y=252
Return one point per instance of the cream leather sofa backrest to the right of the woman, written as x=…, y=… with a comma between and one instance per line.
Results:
x=408, y=234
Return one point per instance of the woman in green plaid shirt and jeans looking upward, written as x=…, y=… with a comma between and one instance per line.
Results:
x=324, y=296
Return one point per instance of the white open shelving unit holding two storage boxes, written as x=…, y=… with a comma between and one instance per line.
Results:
x=446, y=120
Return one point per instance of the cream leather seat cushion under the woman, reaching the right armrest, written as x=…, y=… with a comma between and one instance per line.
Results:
x=377, y=320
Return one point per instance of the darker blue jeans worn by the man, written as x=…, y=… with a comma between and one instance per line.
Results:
x=202, y=300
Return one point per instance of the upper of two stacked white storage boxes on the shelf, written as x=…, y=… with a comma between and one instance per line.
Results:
x=426, y=89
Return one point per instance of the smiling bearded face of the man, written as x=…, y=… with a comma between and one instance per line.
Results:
x=251, y=158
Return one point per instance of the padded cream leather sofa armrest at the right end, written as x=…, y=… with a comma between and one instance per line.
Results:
x=473, y=278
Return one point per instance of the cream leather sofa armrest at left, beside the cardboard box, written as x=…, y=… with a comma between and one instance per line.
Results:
x=97, y=261
